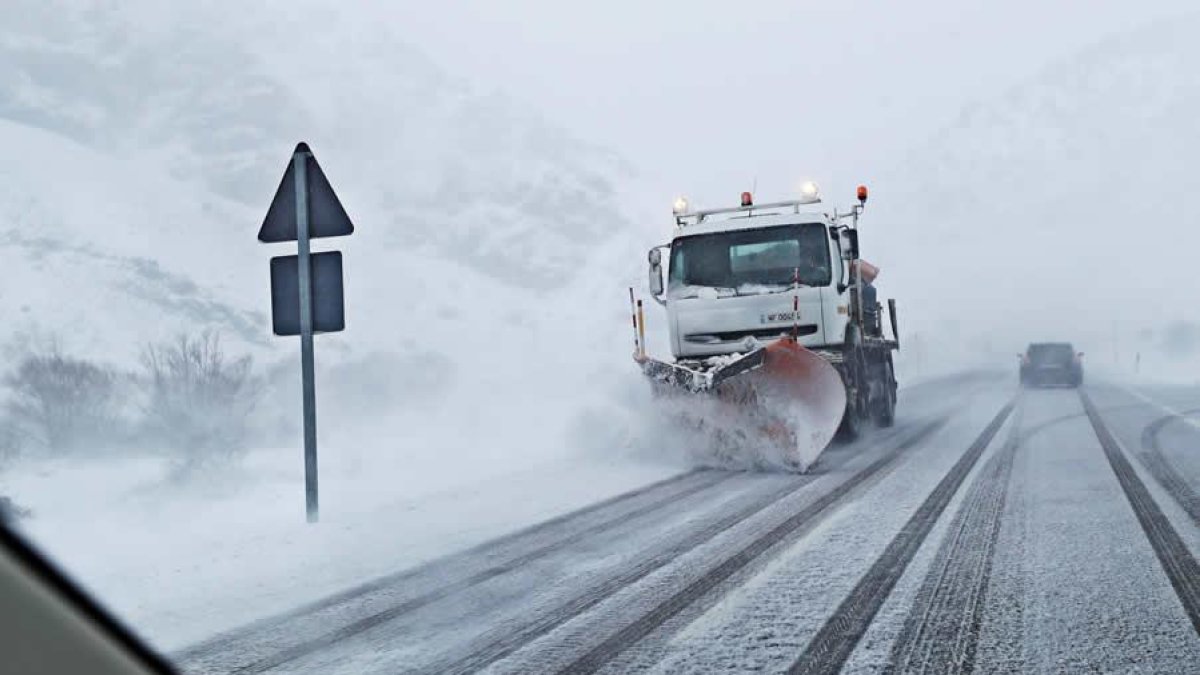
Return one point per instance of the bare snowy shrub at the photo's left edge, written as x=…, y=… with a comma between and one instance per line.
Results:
x=61, y=404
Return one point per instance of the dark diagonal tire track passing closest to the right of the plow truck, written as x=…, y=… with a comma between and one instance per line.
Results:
x=647, y=623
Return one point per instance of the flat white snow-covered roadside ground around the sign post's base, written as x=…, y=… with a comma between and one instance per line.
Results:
x=183, y=563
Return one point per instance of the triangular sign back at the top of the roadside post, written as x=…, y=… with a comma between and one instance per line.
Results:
x=327, y=218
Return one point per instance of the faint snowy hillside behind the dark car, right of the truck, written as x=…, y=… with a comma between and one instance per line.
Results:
x=1059, y=201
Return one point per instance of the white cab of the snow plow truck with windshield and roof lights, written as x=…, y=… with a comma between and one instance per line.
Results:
x=741, y=277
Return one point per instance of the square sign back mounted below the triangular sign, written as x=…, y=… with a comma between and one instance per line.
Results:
x=328, y=308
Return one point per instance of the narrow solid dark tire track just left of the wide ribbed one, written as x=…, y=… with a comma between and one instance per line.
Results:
x=830, y=649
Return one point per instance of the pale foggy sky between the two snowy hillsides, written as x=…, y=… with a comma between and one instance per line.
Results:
x=706, y=98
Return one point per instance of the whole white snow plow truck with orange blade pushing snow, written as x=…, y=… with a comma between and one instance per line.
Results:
x=775, y=326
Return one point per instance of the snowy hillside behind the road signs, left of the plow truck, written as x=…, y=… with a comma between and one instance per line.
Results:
x=143, y=138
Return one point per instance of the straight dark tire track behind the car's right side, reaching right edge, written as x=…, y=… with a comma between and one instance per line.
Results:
x=1178, y=561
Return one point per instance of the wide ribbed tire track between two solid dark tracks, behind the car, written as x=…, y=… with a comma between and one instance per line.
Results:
x=943, y=631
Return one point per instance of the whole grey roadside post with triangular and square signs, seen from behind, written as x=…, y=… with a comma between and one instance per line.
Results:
x=305, y=207
